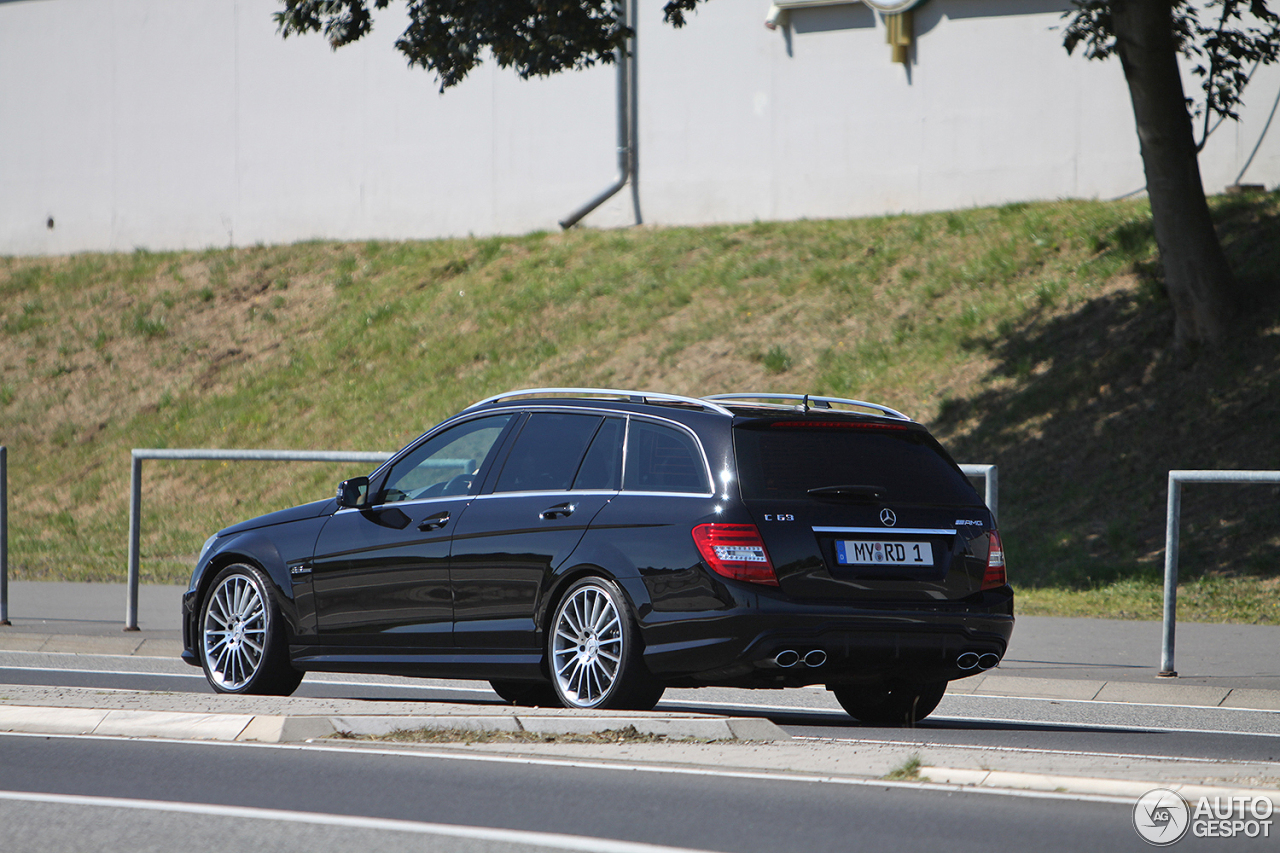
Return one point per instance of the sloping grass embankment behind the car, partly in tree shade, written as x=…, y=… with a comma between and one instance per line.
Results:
x=1030, y=336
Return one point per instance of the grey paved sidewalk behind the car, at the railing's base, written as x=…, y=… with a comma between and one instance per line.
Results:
x=1060, y=658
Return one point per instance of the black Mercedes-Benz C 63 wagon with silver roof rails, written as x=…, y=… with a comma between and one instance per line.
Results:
x=591, y=549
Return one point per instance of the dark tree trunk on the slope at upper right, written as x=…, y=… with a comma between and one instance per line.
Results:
x=1197, y=277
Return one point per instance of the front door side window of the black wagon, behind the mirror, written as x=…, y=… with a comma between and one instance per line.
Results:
x=446, y=464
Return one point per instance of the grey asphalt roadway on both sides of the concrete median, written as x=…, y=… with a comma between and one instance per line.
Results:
x=84, y=793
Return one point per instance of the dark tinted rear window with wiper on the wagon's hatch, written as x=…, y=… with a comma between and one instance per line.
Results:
x=907, y=466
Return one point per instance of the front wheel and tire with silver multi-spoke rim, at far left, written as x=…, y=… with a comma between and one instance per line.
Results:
x=241, y=636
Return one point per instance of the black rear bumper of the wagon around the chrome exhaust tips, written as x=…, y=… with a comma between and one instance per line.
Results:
x=857, y=645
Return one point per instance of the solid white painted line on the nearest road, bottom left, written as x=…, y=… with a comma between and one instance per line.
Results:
x=554, y=841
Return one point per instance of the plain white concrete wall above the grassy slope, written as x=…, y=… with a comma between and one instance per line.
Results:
x=191, y=124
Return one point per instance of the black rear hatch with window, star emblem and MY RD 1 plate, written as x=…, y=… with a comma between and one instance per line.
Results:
x=862, y=509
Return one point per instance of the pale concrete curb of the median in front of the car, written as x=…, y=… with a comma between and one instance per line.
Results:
x=285, y=729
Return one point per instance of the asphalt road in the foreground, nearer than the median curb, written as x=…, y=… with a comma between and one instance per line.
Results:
x=702, y=813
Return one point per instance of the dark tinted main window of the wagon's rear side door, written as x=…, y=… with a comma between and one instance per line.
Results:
x=547, y=453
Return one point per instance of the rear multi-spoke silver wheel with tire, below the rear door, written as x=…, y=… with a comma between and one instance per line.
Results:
x=595, y=651
